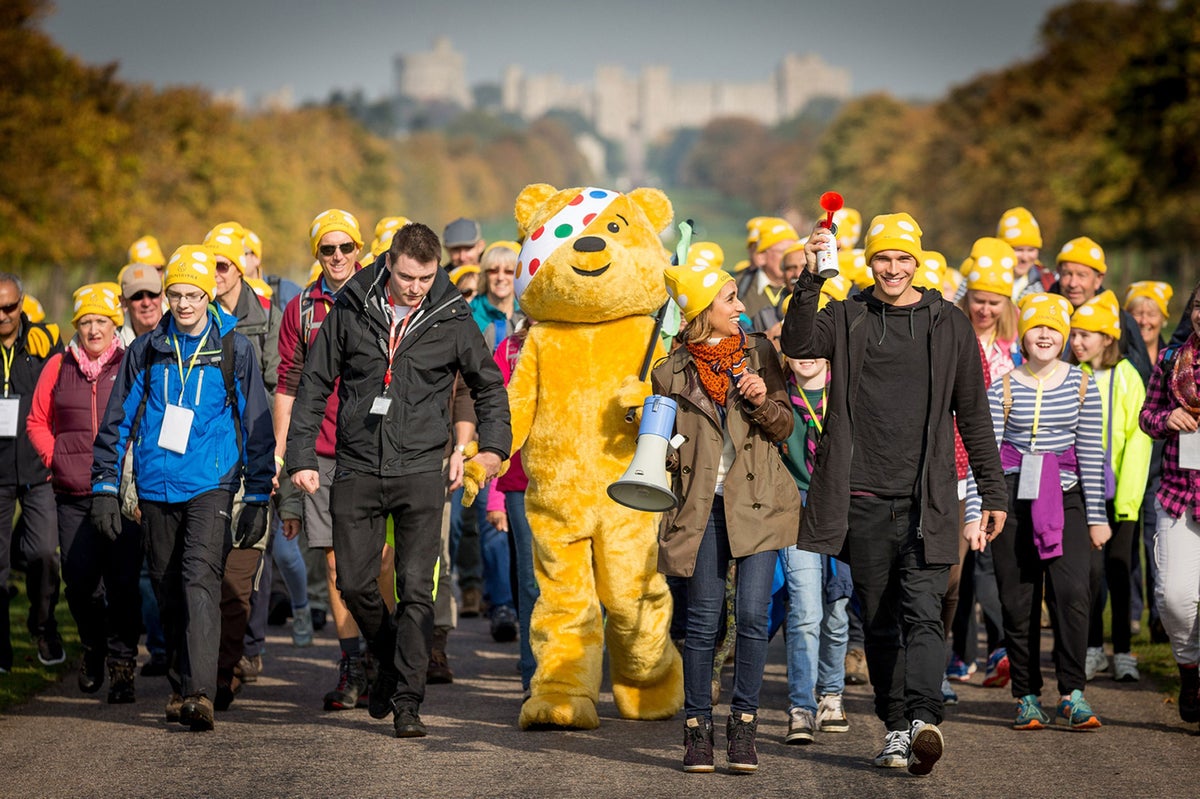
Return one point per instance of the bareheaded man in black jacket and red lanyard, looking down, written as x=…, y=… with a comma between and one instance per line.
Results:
x=398, y=337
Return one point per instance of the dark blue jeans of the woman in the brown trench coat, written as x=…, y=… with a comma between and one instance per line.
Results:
x=706, y=600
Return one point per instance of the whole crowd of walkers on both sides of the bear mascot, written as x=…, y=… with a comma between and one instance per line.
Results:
x=1006, y=443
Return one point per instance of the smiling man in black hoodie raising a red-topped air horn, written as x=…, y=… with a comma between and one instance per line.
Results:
x=904, y=367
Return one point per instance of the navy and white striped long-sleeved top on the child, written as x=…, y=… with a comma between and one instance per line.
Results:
x=1063, y=424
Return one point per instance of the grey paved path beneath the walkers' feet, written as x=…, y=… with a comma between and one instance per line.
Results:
x=277, y=742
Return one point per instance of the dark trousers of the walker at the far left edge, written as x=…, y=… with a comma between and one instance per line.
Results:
x=39, y=542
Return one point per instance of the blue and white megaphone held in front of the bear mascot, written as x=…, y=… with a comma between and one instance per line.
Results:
x=646, y=486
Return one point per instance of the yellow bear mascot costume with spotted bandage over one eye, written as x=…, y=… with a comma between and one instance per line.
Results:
x=591, y=273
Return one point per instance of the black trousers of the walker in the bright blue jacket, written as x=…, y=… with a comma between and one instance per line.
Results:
x=185, y=556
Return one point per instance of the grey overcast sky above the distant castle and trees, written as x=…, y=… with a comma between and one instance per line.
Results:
x=911, y=49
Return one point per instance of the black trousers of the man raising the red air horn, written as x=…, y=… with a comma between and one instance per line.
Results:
x=902, y=603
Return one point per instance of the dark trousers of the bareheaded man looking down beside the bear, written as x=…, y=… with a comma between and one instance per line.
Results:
x=361, y=506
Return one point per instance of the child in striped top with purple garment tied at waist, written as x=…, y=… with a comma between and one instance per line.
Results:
x=1048, y=422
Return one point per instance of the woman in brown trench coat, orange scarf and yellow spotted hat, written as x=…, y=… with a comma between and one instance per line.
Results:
x=737, y=501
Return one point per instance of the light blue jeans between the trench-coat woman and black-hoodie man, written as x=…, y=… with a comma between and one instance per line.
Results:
x=818, y=632
